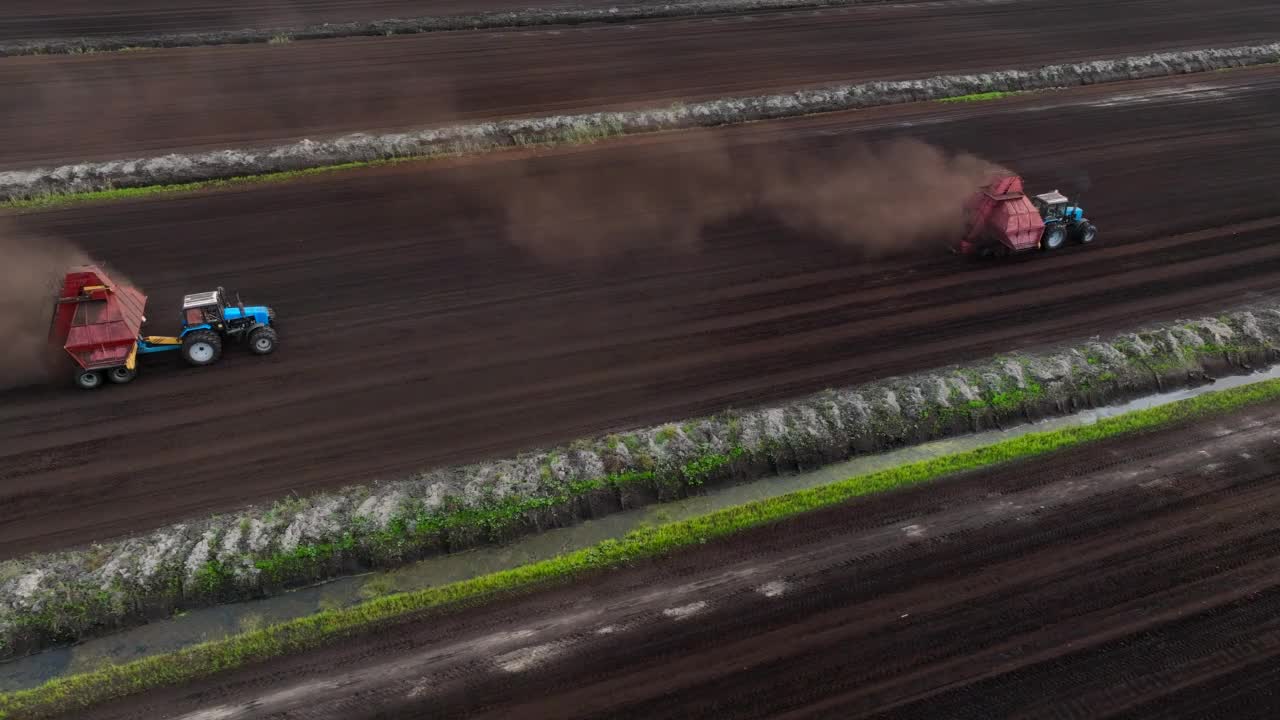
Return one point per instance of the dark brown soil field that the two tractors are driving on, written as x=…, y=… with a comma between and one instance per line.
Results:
x=418, y=332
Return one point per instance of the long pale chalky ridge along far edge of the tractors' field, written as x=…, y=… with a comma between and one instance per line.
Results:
x=184, y=168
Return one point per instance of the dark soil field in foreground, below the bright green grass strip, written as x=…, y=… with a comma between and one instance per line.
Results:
x=1136, y=578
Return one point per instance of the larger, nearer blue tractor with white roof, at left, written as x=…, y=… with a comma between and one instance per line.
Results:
x=208, y=321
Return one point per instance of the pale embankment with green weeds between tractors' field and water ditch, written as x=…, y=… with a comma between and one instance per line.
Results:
x=255, y=553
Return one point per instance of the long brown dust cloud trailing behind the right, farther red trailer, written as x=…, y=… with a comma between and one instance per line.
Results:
x=881, y=199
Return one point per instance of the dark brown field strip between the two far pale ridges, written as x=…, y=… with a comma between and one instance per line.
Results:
x=157, y=102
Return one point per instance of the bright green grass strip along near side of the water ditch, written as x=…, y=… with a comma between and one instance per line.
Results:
x=79, y=692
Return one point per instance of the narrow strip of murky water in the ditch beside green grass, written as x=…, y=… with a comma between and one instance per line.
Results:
x=213, y=623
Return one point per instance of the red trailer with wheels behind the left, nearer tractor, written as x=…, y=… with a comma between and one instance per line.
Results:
x=98, y=322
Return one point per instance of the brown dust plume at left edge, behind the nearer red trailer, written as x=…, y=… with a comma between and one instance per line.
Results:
x=31, y=274
